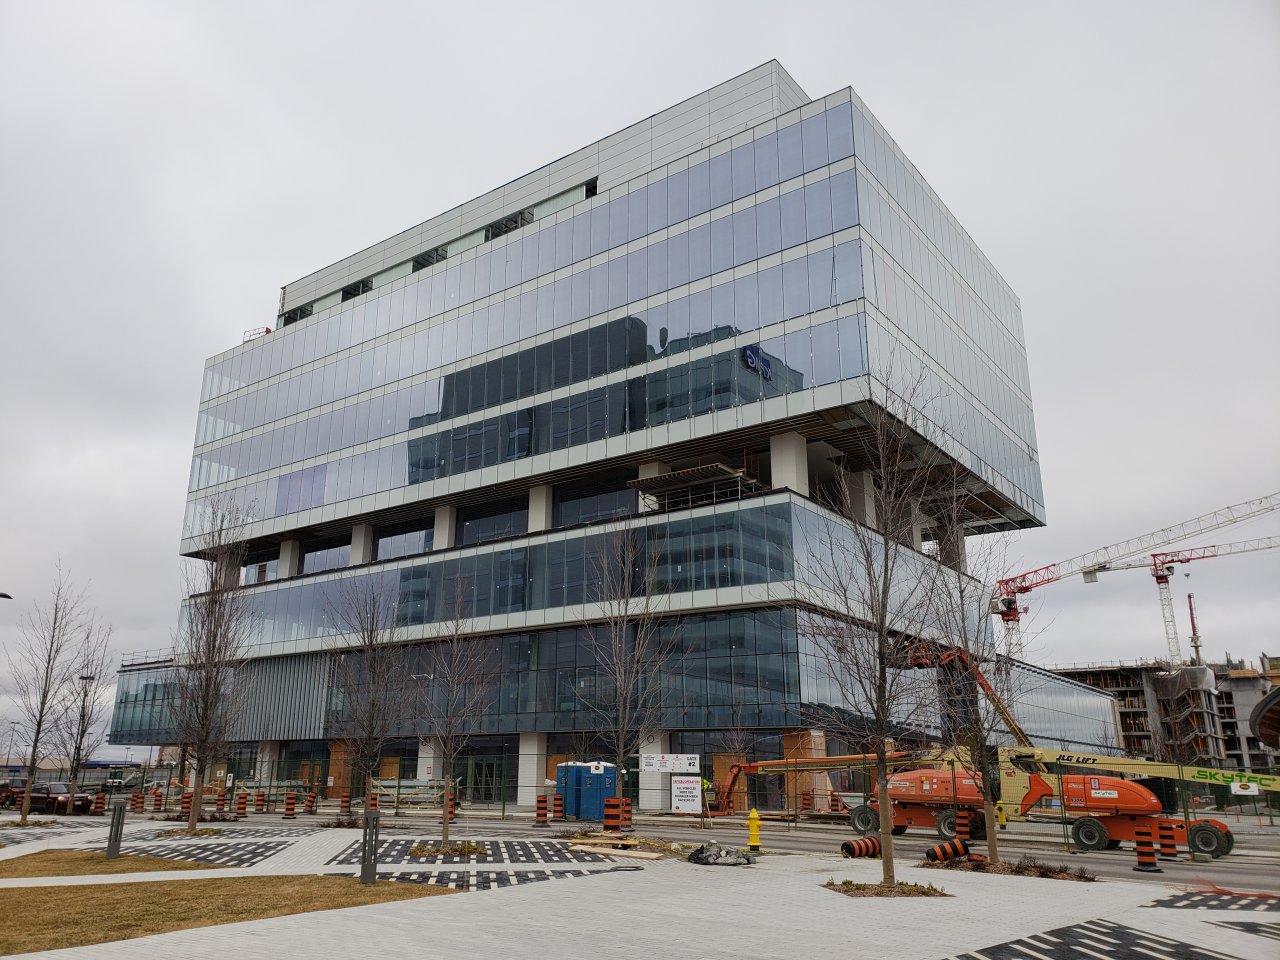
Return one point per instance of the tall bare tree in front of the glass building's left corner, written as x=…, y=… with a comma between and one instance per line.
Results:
x=209, y=646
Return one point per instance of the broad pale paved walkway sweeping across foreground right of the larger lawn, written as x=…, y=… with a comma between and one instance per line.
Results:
x=775, y=909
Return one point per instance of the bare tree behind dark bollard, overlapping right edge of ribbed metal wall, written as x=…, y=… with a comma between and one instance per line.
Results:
x=369, y=670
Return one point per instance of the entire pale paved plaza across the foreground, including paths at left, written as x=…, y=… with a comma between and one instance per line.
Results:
x=615, y=907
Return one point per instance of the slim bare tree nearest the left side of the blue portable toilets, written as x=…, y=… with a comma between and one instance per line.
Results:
x=458, y=688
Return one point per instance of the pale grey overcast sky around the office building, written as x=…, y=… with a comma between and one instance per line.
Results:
x=167, y=168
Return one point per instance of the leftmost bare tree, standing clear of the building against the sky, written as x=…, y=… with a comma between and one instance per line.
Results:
x=44, y=664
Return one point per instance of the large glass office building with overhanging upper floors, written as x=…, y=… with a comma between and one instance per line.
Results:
x=671, y=331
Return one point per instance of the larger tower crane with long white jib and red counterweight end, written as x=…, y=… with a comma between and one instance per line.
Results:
x=1008, y=591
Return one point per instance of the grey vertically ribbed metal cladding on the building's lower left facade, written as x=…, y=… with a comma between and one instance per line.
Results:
x=285, y=698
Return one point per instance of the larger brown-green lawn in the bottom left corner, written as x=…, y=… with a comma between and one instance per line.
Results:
x=48, y=918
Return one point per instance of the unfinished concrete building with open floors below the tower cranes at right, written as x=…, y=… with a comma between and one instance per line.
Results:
x=1167, y=712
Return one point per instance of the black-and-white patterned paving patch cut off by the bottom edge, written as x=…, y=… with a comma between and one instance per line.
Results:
x=1096, y=939
